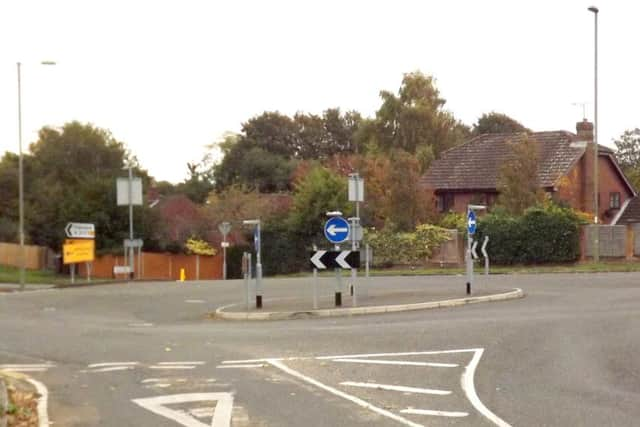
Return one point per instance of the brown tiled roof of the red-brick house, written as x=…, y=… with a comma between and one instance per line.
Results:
x=476, y=164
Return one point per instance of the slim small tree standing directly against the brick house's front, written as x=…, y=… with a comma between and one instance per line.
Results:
x=518, y=180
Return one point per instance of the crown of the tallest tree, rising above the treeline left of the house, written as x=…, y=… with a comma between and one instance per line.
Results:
x=415, y=117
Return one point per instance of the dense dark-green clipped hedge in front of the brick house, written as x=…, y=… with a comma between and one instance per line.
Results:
x=548, y=234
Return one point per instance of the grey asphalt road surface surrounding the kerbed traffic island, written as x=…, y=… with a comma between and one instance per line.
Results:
x=147, y=355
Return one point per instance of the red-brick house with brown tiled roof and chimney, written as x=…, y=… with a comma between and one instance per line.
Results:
x=469, y=173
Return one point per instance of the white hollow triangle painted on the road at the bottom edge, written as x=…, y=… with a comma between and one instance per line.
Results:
x=221, y=411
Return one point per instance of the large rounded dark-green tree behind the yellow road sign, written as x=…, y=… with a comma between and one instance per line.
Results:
x=70, y=176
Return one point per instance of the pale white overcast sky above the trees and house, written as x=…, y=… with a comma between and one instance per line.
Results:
x=170, y=77
